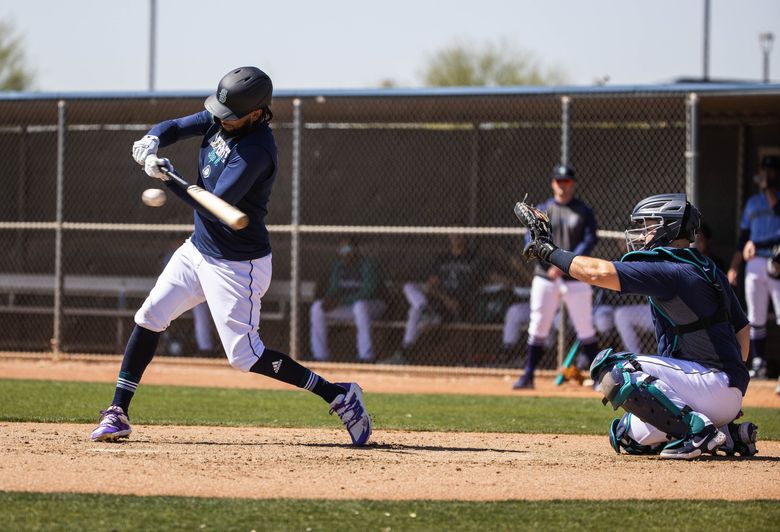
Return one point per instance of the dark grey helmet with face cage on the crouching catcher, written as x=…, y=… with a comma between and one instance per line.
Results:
x=667, y=216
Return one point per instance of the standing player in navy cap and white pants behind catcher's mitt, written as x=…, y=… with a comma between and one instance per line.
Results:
x=574, y=226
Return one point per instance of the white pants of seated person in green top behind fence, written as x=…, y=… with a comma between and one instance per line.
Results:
x=361, y=312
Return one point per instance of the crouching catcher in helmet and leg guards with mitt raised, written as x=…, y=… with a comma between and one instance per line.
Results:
x=682, y=402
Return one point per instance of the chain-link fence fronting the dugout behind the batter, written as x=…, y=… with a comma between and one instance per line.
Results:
x=409, y=177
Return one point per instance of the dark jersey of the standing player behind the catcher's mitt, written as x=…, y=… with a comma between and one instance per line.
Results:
x=573, y=228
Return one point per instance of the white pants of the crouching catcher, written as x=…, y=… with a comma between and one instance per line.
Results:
x=706, y=391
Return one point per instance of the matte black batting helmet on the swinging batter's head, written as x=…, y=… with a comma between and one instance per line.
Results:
x=240, y=91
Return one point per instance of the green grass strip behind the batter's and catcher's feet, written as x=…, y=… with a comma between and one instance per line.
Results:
x=52, y=401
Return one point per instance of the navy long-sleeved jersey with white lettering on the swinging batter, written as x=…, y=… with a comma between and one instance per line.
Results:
x=240, y=170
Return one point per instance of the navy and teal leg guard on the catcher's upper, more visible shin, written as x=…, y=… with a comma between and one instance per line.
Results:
x=624, y=384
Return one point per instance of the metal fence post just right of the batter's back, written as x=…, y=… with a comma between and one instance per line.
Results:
x=295, y=222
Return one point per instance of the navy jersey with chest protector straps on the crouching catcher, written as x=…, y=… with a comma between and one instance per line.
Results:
x=682, y=292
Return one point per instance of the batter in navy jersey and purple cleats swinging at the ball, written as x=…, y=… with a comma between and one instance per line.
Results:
x=229, y=269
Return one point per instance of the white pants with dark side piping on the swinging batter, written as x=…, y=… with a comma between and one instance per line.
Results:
x=233, y=290
